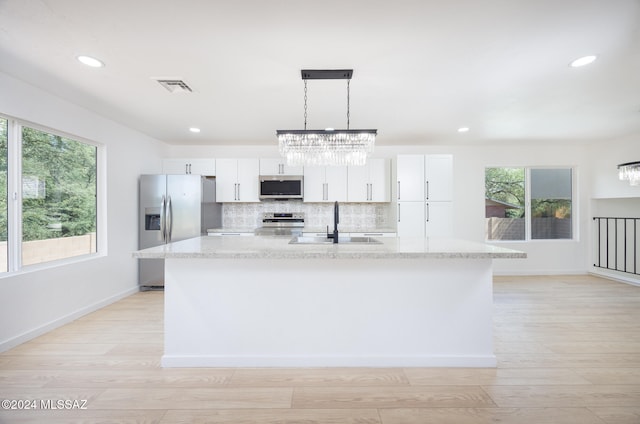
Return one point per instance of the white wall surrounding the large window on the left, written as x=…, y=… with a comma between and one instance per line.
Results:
x=34, y=301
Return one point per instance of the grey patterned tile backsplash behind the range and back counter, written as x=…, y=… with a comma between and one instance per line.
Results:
x=365, y=216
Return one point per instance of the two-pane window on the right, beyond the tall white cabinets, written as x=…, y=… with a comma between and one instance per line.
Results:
x=528, y=203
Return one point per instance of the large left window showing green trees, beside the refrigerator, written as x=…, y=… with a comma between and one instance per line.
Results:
x=55, y=194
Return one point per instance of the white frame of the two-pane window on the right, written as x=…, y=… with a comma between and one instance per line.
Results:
x=527, y=205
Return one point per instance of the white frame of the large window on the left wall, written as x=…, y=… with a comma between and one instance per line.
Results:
x=14, y=198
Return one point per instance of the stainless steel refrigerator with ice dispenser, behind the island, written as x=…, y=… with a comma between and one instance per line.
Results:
x=172, y=208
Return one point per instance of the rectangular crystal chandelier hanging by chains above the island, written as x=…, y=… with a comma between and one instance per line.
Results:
x=329, y=146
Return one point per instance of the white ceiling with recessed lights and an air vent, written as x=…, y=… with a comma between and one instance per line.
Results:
x=422, y=68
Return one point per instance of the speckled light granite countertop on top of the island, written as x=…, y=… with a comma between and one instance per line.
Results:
x=278, y=247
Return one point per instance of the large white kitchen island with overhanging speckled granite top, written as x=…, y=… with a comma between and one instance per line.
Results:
x=262, y=302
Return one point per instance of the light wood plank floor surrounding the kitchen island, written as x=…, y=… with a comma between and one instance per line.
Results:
x=568, y=349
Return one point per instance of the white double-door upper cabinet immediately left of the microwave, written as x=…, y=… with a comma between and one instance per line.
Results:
x=237, y=180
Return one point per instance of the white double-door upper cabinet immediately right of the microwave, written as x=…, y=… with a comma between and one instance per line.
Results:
x=325, y=183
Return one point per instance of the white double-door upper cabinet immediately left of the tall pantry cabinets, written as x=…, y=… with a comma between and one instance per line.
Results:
x=369, y=183
